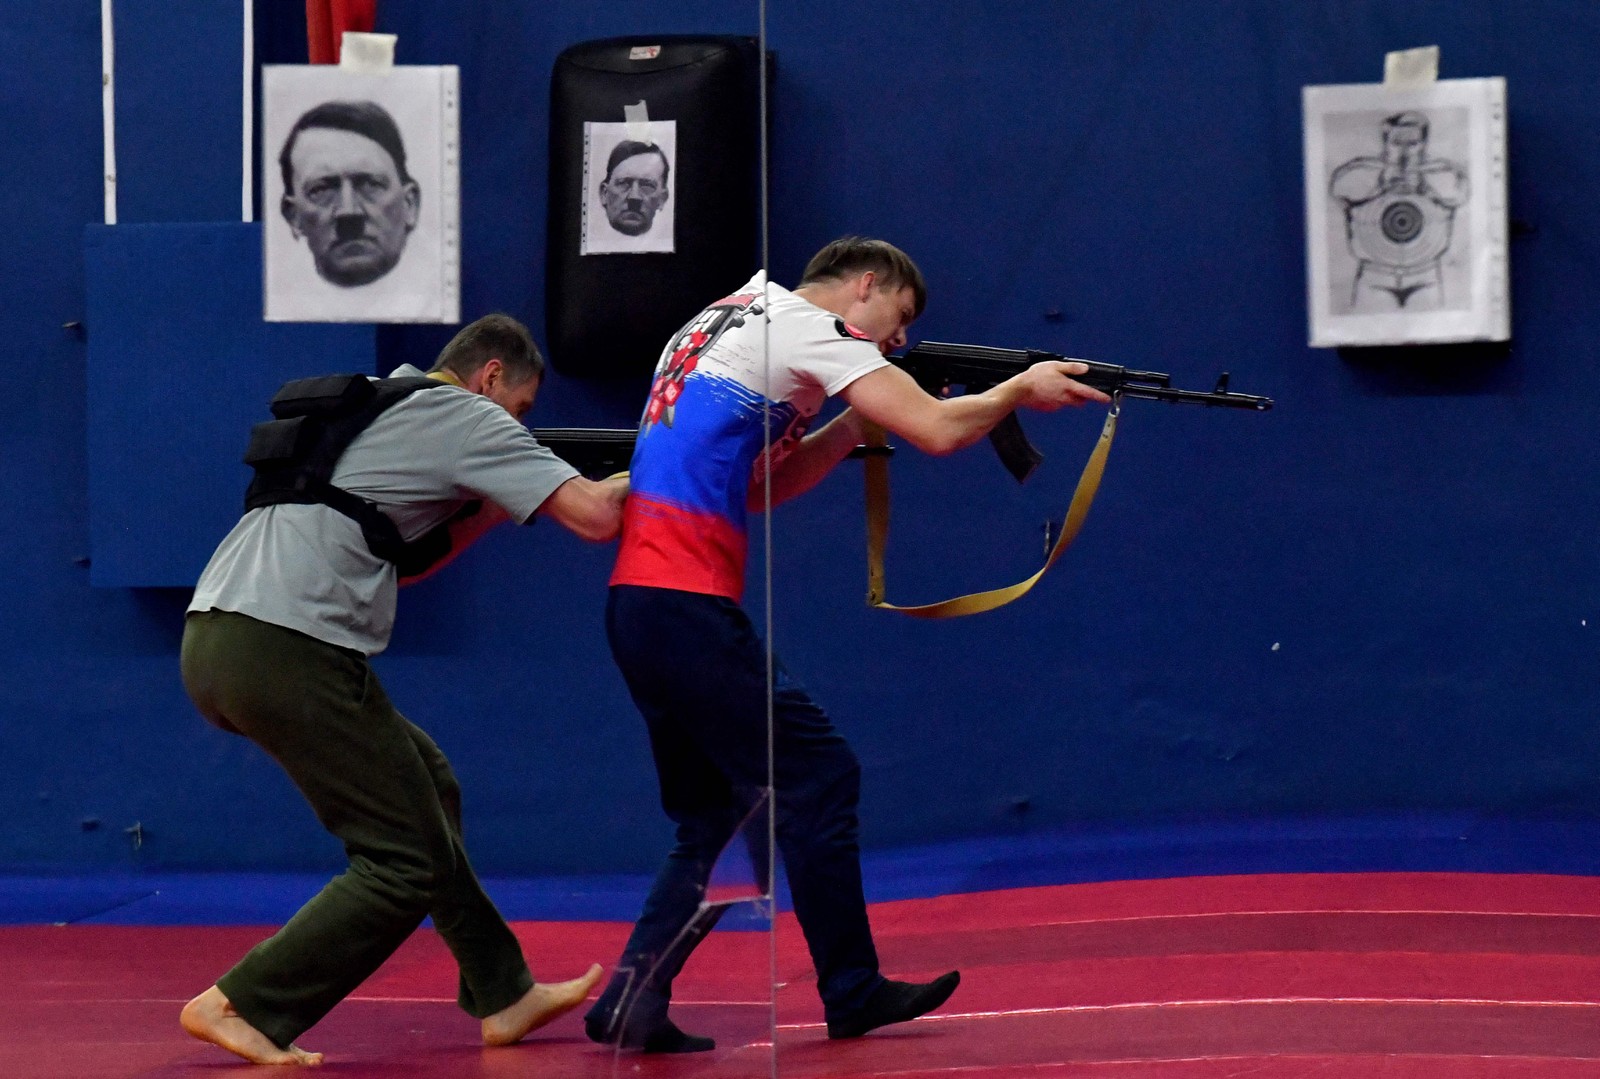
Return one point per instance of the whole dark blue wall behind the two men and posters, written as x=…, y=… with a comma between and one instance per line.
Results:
x=1375, y=603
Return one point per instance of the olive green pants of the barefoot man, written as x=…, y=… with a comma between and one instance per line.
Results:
x=385, y=790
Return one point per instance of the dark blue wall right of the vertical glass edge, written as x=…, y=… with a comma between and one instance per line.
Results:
x=1380, y=598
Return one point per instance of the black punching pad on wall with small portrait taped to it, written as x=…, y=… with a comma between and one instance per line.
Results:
x=655, y=195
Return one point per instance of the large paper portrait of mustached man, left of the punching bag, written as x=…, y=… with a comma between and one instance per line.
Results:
x=359, y=195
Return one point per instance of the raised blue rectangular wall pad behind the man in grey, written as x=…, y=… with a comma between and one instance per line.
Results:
x=180, y=366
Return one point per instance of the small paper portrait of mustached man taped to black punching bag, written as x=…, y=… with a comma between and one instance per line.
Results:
x=628, y=188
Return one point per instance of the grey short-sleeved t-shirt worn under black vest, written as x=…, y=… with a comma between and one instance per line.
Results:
x=308, y=568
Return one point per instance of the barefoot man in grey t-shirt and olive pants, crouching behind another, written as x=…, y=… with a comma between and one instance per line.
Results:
x=276, y=648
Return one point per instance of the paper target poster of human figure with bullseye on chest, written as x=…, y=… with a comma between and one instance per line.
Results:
x=1406, y=214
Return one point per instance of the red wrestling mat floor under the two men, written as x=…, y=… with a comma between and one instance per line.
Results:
x=1370, y=977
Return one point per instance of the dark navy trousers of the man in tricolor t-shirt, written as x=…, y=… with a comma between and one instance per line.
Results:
x=698, y=673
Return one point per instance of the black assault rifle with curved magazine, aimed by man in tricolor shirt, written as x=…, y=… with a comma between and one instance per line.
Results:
x=977, y=367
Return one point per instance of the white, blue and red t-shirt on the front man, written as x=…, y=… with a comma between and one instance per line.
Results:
x=703, y=433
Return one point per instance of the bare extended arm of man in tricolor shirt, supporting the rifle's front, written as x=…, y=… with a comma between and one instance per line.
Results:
x=943, y=425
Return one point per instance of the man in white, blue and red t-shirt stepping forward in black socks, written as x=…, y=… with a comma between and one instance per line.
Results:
x=745, y=379
